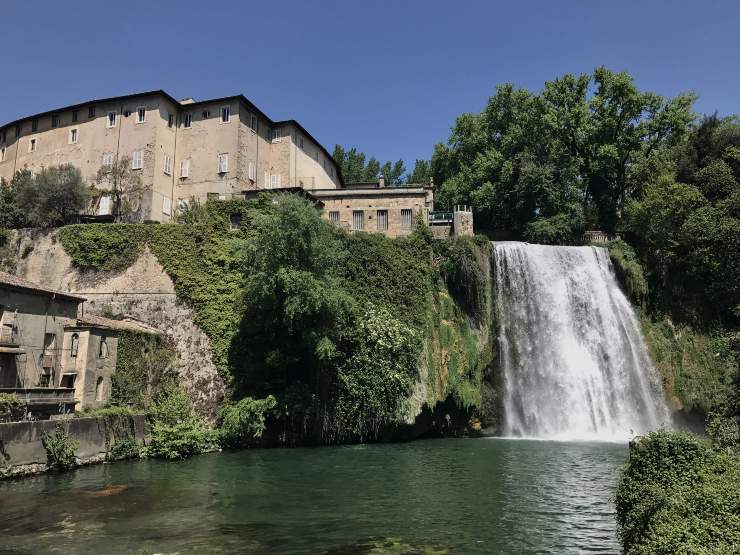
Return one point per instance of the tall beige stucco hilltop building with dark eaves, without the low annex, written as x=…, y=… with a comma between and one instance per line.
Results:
x=215, y=148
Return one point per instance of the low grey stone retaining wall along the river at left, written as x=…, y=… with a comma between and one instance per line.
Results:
x=22, y=450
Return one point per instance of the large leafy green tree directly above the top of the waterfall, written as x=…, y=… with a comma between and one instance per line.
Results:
x=574, y=149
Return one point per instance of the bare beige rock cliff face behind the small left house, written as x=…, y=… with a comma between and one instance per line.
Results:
x=143, y=290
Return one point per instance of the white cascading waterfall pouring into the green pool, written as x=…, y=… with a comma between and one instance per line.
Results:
x=575, y=364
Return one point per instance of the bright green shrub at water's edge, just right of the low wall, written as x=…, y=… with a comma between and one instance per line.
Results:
x=177, y=431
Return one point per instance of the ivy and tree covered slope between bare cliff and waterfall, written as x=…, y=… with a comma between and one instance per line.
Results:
x=352, y=334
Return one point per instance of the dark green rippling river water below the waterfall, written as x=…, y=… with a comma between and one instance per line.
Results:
x=432, y=496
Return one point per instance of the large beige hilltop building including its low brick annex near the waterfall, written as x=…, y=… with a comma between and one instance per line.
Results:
x=212, y=149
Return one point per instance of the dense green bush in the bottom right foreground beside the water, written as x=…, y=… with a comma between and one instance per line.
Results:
x=677, y=494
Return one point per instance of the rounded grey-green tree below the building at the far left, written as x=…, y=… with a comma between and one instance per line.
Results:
x=55, y=196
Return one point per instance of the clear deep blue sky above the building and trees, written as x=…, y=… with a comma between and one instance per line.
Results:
x=386, y=76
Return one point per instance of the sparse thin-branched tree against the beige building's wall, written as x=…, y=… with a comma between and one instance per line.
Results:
x=125, y=187
